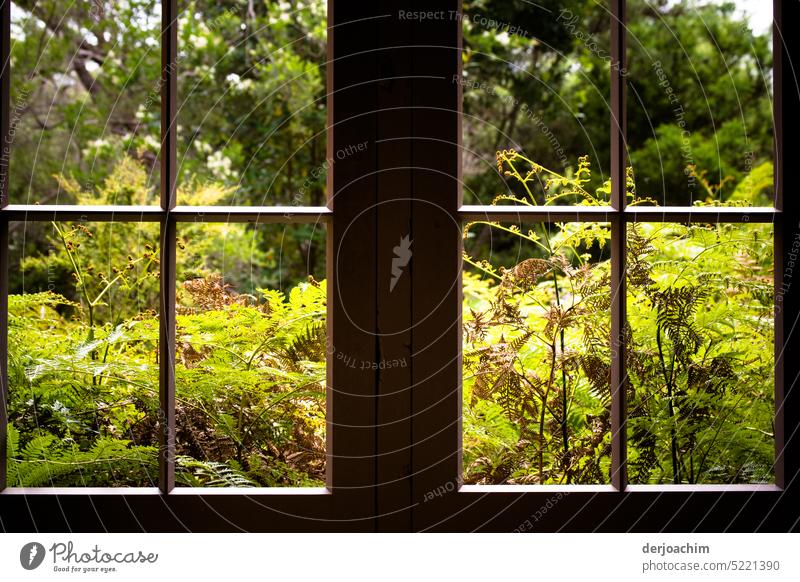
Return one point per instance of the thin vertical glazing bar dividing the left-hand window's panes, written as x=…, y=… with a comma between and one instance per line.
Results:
x=166, y=346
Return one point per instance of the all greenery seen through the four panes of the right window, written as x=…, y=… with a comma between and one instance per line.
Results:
x=537, y=297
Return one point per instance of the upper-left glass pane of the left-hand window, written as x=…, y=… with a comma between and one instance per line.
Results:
x=84, y=101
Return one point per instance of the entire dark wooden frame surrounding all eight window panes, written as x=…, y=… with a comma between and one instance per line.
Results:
x=394, y=433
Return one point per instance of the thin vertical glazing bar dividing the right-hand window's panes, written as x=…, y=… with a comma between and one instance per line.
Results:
x=618, y=227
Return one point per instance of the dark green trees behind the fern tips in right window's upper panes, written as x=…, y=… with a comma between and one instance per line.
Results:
x=538, y=76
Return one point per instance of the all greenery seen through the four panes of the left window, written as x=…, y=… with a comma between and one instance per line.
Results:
x=84, y=297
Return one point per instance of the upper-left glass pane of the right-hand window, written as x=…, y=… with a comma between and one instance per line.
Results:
x=535, y=80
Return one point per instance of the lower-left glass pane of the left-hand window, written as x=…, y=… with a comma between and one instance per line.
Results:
x=83, y=355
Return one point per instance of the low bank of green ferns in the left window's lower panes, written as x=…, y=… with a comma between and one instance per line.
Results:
x=250, y=388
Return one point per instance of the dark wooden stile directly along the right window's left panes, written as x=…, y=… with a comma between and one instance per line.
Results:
x=435, y=267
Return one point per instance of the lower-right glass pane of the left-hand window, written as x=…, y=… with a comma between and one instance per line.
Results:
x=251, y=351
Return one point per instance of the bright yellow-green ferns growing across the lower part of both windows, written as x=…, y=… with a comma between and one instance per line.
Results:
x=250, y=368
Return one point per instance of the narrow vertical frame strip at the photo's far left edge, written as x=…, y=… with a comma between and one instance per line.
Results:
x=5, y=106
